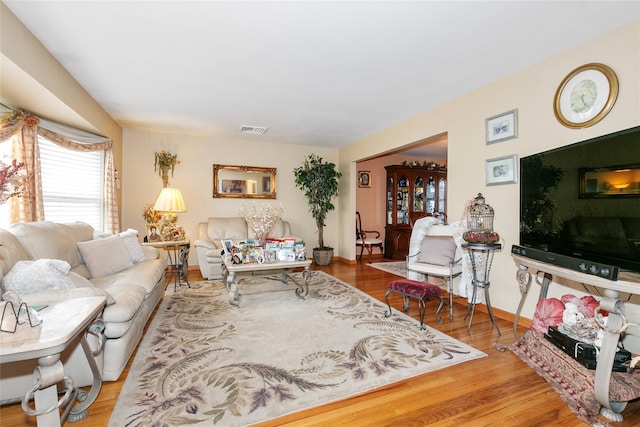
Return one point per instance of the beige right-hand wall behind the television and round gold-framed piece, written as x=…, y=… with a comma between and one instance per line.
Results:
x=531, y=91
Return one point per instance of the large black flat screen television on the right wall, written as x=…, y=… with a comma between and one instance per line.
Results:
x=583, y=200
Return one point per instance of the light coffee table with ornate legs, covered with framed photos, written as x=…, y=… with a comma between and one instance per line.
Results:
x=230, y=271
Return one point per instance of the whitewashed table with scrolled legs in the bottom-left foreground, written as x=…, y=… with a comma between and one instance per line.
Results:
x=62, y=322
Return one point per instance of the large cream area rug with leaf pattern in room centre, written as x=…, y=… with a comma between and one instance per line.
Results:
x=205, y=362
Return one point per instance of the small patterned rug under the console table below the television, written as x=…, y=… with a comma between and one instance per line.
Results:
x=573, y=382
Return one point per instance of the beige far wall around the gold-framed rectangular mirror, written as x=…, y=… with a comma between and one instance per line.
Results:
x=194, y=177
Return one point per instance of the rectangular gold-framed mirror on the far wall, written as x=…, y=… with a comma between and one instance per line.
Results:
x=244, y=182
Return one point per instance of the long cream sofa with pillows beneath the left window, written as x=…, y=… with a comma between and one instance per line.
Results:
x=117, y=267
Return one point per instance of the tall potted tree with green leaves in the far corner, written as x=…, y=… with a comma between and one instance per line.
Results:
x=319, y=181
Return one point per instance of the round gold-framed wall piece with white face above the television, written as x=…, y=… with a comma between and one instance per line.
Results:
x=586, y=96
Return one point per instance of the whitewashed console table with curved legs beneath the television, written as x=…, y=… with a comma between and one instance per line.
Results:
x=627, y=282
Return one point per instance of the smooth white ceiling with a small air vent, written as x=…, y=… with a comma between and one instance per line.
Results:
x=322, y=73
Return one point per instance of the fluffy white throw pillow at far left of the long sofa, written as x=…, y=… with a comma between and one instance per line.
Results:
x=26, y=277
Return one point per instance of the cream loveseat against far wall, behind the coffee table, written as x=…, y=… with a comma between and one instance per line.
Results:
x=214, y=230
